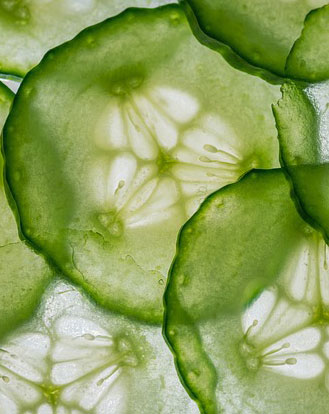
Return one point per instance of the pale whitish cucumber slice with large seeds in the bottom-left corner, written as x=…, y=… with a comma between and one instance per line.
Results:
x=72, y=358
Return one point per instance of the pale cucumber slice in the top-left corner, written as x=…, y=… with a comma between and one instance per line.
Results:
x=29, y=28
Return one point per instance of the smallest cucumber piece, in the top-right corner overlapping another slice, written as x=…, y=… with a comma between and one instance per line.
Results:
x=308, y=59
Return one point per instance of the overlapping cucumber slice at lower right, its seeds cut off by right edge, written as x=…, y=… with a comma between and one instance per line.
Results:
x=247, y=303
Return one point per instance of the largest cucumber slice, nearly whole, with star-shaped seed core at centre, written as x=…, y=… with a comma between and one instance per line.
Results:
x=126, y=146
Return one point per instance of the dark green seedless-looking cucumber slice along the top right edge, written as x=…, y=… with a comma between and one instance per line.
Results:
x=260, y=31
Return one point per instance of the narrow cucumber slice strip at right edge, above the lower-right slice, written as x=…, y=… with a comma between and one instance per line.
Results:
x=302, y=120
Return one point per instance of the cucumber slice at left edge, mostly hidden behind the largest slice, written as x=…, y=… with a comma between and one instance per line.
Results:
x=23, y=274
